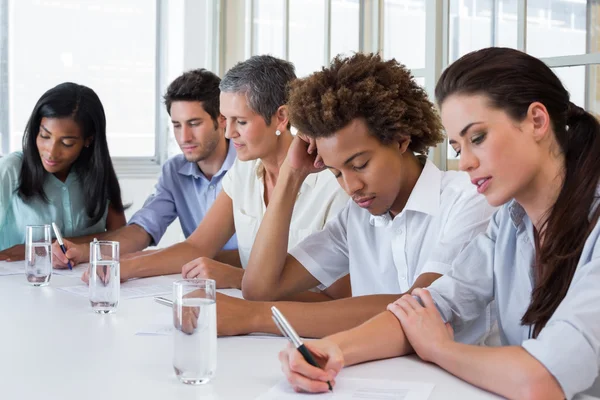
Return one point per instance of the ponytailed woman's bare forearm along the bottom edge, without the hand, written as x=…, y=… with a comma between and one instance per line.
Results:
x=516, y=374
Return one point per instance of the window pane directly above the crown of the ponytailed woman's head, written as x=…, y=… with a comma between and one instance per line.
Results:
x=475, y=24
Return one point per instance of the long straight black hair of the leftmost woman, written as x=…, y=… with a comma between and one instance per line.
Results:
x=93, y=166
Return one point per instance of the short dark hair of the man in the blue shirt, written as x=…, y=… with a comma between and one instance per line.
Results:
x=196, y=85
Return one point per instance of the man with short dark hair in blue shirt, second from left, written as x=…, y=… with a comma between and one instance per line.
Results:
x=189, y=182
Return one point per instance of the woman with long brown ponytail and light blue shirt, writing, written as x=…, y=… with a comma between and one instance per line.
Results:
x=527, y=147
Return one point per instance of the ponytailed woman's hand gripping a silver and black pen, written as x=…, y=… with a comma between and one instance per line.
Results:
x=299, y=364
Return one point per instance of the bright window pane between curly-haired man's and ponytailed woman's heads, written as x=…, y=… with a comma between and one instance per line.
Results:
x=404, y=32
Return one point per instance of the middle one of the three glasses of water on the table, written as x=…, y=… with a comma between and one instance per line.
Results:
x=105, y=276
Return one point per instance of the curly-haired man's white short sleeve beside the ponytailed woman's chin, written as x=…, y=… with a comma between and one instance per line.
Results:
x=469, y=216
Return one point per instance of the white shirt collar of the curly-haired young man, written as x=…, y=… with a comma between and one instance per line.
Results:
x=424, y=198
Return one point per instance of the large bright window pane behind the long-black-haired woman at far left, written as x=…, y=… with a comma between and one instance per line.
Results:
x=108, y=45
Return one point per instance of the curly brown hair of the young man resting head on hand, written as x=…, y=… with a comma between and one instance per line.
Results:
x=384, y=93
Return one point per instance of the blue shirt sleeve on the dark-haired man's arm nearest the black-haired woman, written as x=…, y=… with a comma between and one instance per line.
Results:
x=159, y=209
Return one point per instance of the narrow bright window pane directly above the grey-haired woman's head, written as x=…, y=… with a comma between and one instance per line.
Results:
x=267, y=28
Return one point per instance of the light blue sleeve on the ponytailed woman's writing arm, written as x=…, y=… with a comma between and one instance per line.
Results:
x=464, y=292
